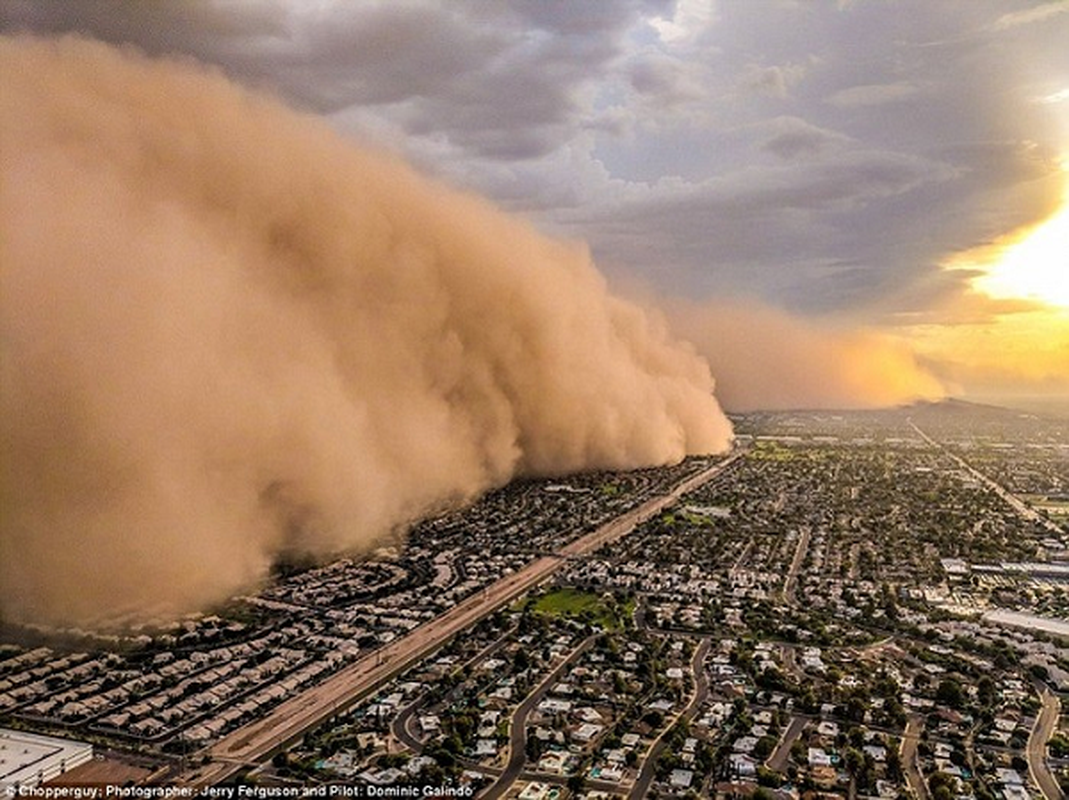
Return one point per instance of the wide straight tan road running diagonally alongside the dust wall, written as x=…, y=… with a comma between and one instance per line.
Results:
x=254, y=744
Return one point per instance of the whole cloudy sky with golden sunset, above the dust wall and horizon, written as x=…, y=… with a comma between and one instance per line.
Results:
x=841, y=204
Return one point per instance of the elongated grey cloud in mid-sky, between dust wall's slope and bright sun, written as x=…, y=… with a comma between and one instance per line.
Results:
x=736, y=229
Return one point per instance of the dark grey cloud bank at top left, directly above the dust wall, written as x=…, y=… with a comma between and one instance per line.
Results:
x=498, y=82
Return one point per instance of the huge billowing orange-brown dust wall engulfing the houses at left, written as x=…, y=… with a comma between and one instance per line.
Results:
x=228, y=334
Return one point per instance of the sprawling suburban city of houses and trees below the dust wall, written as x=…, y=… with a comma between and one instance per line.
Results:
x=855, y=605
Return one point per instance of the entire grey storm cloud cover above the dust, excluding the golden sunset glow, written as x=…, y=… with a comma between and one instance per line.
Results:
x=553, y=105
